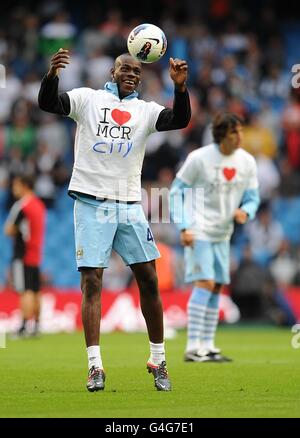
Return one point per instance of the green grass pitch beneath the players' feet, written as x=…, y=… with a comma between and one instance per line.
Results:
x=46, y=378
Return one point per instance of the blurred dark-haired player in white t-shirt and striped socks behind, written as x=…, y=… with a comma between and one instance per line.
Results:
x=226, y=177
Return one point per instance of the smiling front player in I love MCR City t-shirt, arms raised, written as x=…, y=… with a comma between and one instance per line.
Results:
x=112, y=127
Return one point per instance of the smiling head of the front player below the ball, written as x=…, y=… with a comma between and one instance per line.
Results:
x=126, y=73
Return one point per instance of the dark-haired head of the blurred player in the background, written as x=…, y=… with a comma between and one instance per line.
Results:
x=227, y=130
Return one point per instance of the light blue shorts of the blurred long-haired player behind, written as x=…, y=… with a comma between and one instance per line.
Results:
x=207, y=261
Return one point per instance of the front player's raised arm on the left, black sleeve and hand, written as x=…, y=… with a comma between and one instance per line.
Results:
x=49, y=99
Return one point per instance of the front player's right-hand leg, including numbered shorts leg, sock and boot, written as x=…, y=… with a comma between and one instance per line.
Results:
x=135, y=244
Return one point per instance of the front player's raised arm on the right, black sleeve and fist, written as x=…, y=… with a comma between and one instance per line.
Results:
x=179, y=116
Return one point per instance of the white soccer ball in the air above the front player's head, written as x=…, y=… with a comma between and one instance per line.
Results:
x=147, y=43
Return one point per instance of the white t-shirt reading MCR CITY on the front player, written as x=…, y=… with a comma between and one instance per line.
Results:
x=110, y=143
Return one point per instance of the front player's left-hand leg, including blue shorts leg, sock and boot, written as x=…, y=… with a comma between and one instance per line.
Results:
x=94, y=233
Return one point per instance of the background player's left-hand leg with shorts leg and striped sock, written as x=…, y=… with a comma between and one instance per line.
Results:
x=199, y=269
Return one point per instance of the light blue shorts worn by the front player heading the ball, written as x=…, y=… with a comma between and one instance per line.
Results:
x=108, y=225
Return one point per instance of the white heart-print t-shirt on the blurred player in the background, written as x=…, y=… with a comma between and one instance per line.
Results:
x=222, y=180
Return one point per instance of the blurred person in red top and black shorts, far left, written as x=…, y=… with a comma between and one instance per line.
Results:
x=25, y=224
